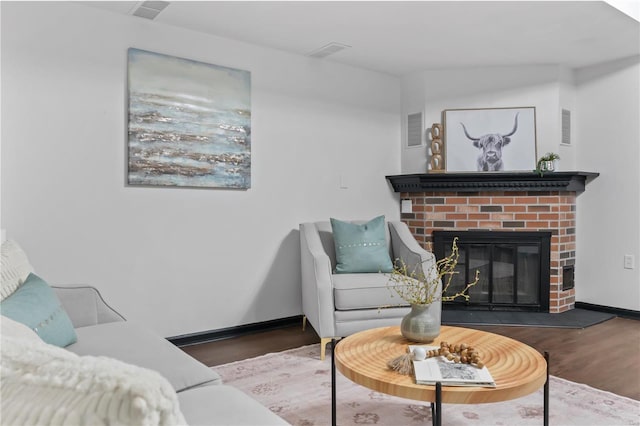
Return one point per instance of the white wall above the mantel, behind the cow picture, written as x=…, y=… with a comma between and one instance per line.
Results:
x=433, y=91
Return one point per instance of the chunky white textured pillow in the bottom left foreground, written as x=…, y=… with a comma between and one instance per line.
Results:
x=46, y=385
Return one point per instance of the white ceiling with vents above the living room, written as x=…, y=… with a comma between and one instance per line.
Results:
x=399, y=38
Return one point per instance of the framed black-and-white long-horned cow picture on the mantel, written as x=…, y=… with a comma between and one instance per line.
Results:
x=490, y=139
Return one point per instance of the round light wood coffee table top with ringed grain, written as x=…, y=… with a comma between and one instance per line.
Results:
x=517, y=369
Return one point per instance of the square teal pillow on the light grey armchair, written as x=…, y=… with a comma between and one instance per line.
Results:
x=361, y=247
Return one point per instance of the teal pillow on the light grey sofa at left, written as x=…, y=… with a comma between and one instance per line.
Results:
x=36, y=305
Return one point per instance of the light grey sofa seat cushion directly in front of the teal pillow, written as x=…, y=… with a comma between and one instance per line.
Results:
x=136, y=345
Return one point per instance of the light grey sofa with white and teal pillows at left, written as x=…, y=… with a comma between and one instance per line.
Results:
x=100, y=369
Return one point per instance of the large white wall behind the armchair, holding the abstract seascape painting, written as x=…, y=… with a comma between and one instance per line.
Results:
x=180, y=260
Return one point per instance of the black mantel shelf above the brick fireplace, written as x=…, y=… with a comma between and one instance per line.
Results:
x=488, y=181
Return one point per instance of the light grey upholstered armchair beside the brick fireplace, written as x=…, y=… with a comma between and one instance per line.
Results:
x=337, y=305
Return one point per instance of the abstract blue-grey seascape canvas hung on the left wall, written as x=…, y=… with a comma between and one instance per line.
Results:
x=189, y=123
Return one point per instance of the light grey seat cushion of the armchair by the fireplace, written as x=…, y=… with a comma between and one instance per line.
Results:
x=363, y=291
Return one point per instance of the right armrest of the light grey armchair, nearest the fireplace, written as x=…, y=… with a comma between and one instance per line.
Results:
x=406, y=248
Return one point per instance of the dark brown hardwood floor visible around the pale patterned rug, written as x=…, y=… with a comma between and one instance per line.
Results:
x=605, y=356
